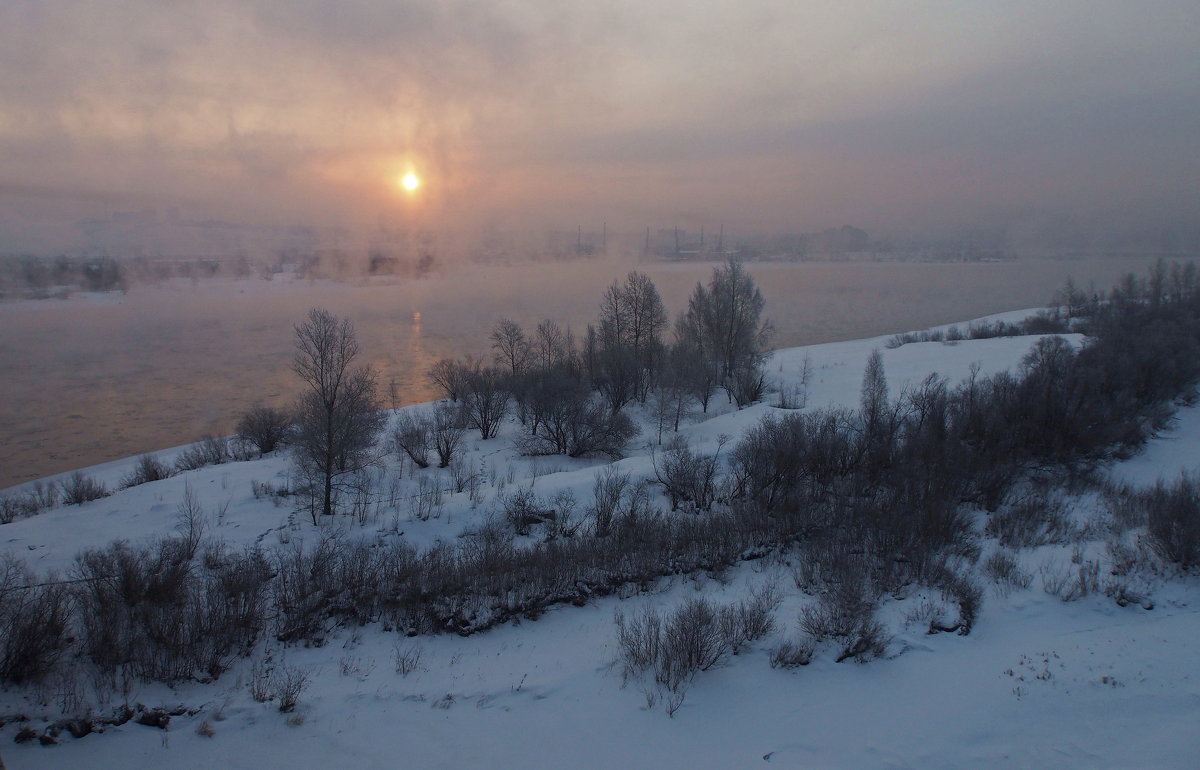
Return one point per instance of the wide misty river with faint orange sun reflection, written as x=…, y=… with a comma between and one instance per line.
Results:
x=100, y=377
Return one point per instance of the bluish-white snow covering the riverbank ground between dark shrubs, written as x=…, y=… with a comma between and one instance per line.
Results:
x=1040, y=682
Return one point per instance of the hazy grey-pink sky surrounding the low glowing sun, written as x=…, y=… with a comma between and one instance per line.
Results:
x=898, y=117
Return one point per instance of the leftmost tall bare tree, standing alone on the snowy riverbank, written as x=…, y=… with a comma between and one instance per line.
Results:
x=339, y=417
